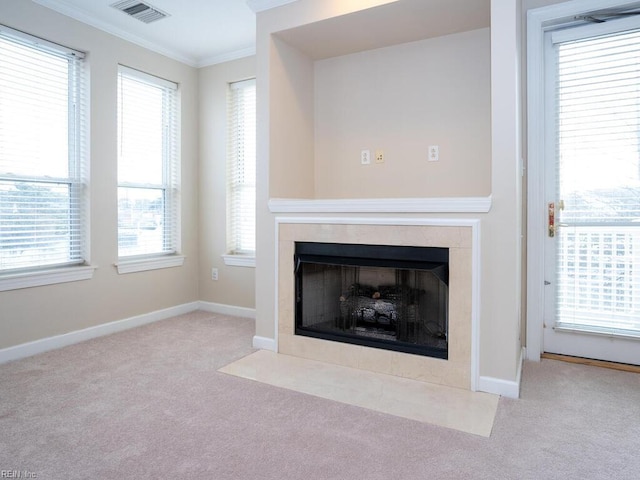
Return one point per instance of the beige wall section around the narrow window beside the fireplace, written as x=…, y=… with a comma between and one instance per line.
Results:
x=235, y=285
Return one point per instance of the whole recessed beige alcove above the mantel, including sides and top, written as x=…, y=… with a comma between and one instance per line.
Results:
x=396, y=79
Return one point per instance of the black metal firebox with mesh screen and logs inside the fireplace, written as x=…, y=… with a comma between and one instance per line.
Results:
x=381, y=296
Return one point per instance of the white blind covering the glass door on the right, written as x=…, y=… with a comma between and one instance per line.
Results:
x=598, y=147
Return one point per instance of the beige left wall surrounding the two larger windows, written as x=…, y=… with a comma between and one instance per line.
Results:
x=34, y=313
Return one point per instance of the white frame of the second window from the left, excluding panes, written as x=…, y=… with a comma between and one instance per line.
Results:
x=170, y=256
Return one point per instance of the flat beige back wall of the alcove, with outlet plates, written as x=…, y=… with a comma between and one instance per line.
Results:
x=401, y=99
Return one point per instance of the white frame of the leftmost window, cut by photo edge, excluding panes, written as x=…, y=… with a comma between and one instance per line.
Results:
x=77, y=266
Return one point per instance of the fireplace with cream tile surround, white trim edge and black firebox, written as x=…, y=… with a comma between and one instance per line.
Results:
x=453, y=240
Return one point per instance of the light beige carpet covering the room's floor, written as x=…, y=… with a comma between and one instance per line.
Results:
x=149, y=403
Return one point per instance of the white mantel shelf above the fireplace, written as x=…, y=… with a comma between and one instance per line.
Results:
x=382, y=205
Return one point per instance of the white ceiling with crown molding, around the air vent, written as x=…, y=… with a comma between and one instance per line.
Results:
x=196, y=32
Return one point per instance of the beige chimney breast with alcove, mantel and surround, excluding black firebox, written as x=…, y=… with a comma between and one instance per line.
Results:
x=398, y=76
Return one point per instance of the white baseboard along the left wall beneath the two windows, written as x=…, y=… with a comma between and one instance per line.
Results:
x=51, y=343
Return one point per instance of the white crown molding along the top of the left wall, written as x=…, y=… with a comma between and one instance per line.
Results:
x=72, y=11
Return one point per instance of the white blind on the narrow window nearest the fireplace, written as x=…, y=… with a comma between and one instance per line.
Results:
x=241, y=169
